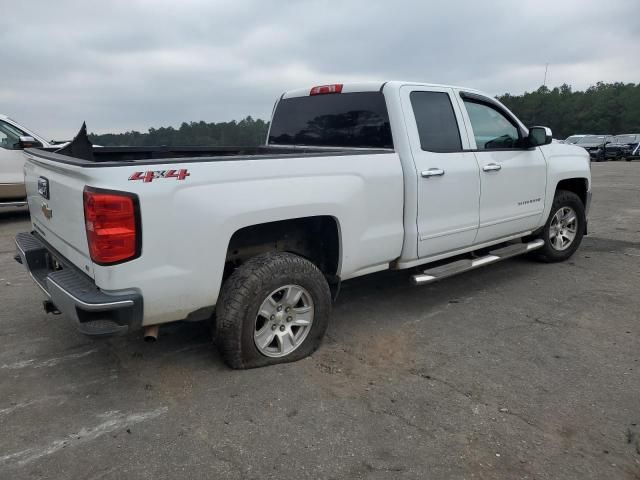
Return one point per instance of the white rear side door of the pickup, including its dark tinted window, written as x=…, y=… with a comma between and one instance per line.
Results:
x=448, y=176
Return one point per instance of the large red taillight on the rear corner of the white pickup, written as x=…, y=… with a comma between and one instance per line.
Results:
x=111, y=220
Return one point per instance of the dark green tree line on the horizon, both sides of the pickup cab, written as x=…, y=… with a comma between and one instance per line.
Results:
x=605, y=108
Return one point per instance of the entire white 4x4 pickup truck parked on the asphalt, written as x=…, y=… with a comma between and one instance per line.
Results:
x=353, y=179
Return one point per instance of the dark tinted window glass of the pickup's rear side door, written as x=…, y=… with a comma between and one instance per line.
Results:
x=436, y=122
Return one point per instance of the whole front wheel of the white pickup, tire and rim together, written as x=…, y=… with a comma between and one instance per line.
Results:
x=564, y=229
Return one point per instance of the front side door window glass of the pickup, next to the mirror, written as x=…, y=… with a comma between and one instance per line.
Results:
x=491, y=129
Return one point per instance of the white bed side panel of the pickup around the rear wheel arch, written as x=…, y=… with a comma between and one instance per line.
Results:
x=187, y=225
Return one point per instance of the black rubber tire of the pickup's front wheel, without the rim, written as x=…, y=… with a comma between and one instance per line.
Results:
x=562, y=199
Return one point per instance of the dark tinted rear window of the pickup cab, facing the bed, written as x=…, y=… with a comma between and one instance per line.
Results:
x=332, y=120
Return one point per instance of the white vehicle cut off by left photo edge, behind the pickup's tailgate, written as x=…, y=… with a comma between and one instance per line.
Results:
x=13, y=139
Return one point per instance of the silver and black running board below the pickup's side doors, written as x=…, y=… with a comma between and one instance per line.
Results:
x=459, y=266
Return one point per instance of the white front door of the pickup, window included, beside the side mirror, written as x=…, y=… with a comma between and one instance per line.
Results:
x=513, y=177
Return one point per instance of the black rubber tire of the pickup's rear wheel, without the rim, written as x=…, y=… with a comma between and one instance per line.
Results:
x=242, y=295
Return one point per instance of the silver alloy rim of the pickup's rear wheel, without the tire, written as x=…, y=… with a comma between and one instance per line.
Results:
x=283, y=321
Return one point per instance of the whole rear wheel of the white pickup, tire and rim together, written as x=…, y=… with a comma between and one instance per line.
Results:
x=273, y=309
